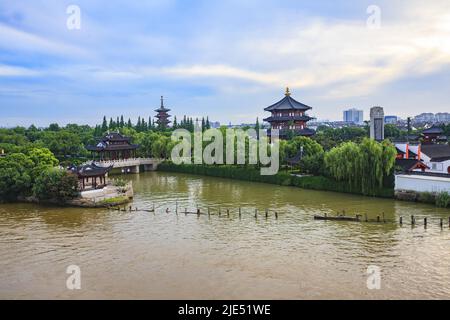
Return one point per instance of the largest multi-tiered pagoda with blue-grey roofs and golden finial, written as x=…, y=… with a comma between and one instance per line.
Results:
x=289, y=117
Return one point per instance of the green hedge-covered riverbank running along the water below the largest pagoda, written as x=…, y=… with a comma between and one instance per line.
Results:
x=252, y=174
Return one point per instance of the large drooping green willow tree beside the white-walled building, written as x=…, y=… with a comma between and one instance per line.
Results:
x=363, y=166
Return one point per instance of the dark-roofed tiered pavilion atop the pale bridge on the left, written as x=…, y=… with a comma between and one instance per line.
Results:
x=113, y=146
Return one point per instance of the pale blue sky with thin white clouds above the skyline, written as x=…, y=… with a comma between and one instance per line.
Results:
x=226, y=59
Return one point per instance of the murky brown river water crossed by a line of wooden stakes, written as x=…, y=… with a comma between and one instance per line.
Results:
x=142, y=255
